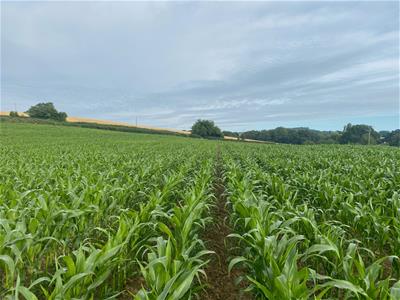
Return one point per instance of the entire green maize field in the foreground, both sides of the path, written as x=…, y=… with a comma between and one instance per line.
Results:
x=92, y=214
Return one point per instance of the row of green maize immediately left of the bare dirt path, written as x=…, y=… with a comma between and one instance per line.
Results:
x=176, y=260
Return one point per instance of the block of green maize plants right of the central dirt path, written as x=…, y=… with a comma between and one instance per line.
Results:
x=315, y=222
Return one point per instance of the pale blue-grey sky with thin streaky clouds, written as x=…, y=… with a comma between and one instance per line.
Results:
x=245, y=65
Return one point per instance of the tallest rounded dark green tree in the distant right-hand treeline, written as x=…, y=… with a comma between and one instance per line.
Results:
x=359, y=134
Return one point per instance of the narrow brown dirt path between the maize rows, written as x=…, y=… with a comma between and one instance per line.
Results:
x=220, y=284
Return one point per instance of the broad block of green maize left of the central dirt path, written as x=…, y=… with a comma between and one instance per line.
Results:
x=81, y=210
